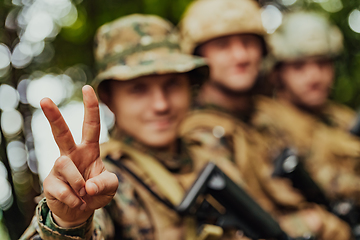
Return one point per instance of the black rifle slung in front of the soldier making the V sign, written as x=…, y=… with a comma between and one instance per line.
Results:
x=213, y=190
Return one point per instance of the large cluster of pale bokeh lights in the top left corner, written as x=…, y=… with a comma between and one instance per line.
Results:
x=37, y=21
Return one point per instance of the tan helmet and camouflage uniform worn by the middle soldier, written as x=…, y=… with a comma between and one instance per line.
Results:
x=219, y=131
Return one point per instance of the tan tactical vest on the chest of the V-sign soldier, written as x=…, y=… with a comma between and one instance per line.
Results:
x=166, y=222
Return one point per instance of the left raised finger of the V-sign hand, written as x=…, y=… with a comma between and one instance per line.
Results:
x=60, y=129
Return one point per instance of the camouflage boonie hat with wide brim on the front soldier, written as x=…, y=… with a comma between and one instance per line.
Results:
x=139, y=45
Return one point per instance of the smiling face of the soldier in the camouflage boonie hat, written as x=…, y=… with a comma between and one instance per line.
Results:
x=150, y=108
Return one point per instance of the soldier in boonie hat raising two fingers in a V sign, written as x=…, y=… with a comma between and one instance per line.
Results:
x=145, y=81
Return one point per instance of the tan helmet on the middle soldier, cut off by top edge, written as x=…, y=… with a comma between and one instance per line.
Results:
x=208, y=19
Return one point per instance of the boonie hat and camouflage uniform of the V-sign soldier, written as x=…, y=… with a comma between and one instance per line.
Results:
x=133, y=46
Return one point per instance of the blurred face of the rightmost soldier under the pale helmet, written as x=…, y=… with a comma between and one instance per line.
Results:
x=307, y=82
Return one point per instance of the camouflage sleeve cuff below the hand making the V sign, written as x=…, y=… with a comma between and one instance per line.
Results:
x=44, y=227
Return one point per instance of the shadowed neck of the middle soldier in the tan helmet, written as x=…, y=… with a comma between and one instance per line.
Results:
x=234, y=102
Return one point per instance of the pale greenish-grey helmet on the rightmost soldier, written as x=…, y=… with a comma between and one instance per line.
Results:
x=305, y=34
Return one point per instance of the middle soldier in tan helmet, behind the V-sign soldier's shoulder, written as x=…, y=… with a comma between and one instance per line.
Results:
x=229, y=34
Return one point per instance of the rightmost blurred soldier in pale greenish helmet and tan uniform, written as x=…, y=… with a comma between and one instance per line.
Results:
x=304, y=49
